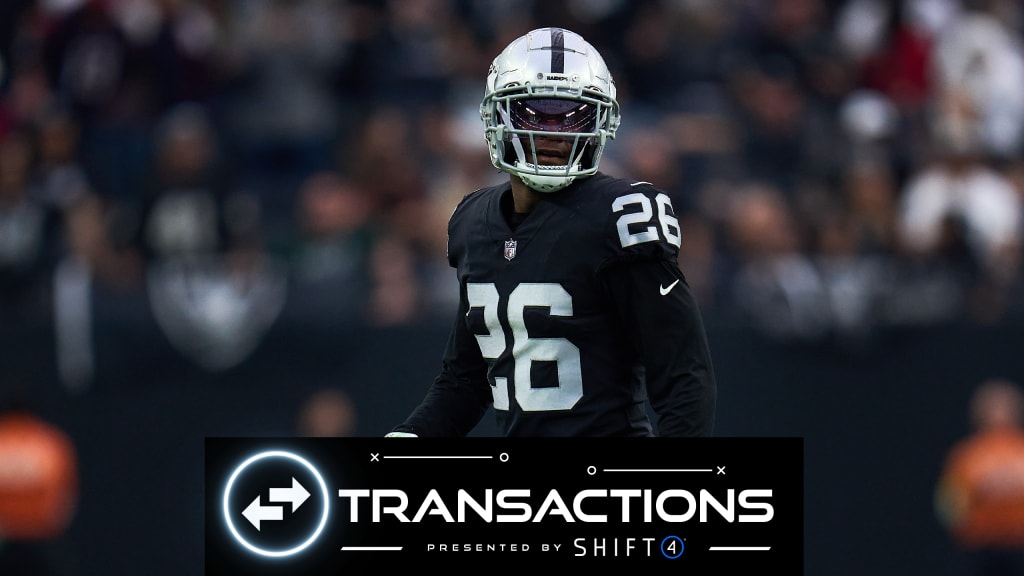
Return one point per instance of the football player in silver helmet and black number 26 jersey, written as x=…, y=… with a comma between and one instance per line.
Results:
x=574, y=313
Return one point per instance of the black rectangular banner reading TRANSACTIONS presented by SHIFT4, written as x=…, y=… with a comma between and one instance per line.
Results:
x=327, y=506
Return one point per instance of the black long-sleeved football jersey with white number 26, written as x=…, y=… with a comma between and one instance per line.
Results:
x=570, y=320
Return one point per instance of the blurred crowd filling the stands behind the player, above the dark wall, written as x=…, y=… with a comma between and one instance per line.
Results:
x=838, y=166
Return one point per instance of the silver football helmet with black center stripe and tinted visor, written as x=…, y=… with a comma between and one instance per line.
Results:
x=549, y=81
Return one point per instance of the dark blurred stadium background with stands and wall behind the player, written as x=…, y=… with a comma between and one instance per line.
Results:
x=216, y=215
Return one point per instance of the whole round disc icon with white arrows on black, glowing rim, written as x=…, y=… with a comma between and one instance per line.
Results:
x=276, y=504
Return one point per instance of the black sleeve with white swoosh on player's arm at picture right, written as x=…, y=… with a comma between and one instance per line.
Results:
x=663, y=320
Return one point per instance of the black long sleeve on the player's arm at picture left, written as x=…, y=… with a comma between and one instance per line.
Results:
x=460, y=395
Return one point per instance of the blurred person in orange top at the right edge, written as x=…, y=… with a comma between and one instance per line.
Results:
x=980, y=495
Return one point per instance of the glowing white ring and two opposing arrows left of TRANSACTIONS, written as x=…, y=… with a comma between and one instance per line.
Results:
x=257, y=513
